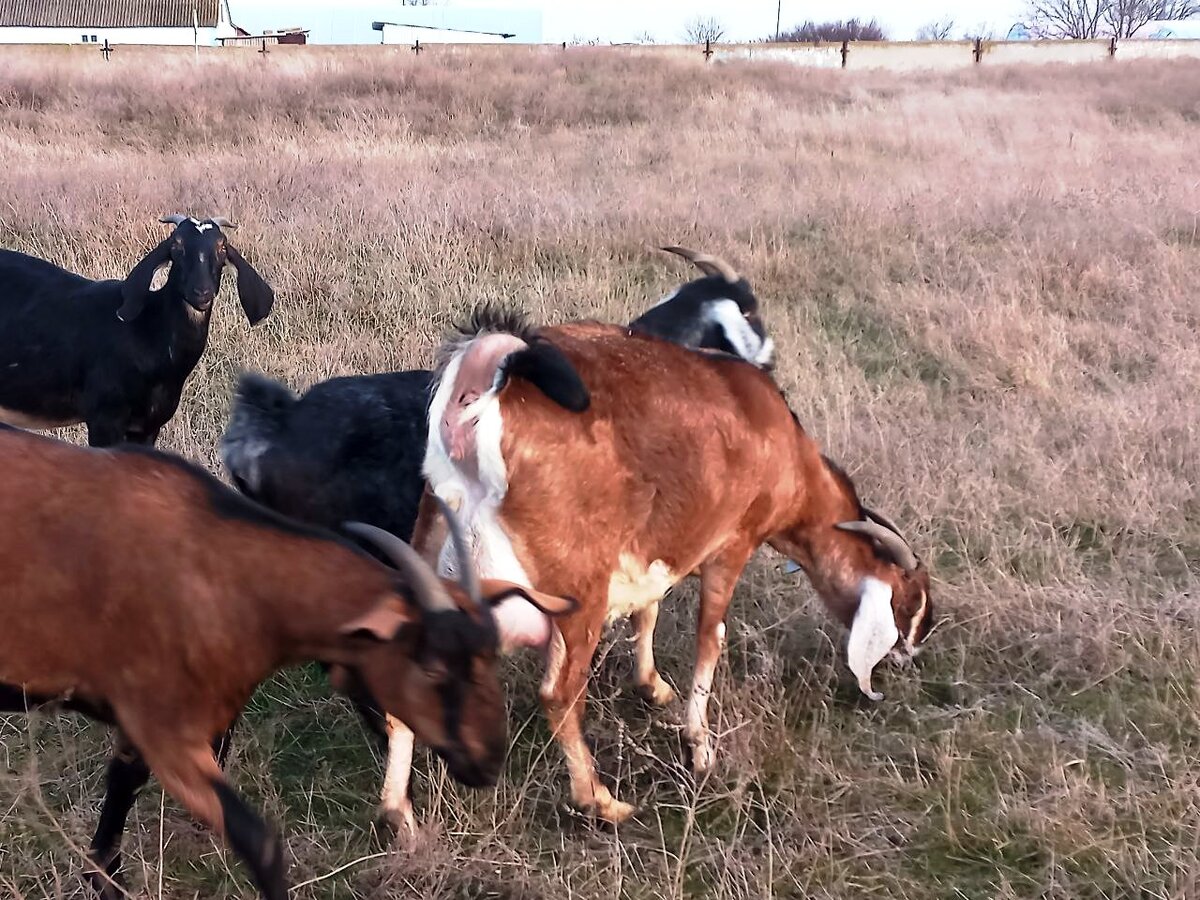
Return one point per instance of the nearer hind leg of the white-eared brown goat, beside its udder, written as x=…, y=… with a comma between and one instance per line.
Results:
x=565, y=697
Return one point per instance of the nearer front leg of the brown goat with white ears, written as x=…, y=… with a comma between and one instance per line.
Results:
x=718, y=577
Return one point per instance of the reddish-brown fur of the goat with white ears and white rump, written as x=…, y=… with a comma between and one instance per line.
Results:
x=685, y=458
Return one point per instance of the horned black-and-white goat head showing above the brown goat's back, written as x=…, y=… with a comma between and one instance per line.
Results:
x=718, y=313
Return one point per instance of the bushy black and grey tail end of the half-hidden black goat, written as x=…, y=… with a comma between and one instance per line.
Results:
x=256, y=419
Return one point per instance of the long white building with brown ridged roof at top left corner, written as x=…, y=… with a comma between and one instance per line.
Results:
x=151, y=22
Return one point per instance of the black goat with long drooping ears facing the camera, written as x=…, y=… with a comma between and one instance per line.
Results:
x=115, y=355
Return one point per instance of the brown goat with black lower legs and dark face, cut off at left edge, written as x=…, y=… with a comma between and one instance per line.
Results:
x=139, y=590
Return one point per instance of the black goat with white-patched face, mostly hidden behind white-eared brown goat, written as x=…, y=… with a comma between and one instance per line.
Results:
x=352, y=448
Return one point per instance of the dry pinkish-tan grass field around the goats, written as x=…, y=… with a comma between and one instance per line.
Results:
x=985, y=292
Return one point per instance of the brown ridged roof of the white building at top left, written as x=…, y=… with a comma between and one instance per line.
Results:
x=107, y=14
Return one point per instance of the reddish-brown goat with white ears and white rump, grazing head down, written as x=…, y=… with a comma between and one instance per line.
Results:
x=683, y=463
